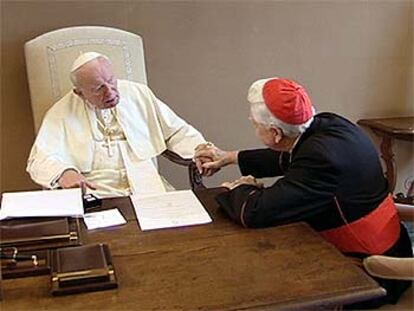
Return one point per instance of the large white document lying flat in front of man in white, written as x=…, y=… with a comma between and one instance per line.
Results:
x=169, y=209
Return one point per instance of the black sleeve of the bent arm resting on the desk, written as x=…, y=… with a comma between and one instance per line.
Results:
x=306, y=189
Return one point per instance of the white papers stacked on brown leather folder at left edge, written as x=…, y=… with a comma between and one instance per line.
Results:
x=42, y=203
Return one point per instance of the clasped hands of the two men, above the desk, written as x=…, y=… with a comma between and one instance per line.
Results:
x=209, y=159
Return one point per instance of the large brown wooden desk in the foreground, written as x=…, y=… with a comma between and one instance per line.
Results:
x=218, y=266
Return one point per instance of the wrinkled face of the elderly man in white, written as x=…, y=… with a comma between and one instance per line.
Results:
x=97, y=84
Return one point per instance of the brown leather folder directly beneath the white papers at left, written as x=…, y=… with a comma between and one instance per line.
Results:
x=37, y=234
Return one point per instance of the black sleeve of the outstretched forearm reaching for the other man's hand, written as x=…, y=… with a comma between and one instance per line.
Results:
x=263, y=162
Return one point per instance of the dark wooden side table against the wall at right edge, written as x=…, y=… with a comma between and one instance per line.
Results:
x=389, y=129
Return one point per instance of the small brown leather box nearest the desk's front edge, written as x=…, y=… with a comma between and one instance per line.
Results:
x=81, y=269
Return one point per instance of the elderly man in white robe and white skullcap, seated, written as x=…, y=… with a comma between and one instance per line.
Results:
x=105, y=134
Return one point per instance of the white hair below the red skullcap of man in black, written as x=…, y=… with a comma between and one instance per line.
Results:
x=262, y=115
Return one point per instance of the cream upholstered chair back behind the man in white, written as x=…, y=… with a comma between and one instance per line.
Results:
x=49, y=57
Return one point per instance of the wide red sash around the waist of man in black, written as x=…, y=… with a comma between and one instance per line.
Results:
x=372, y=234
